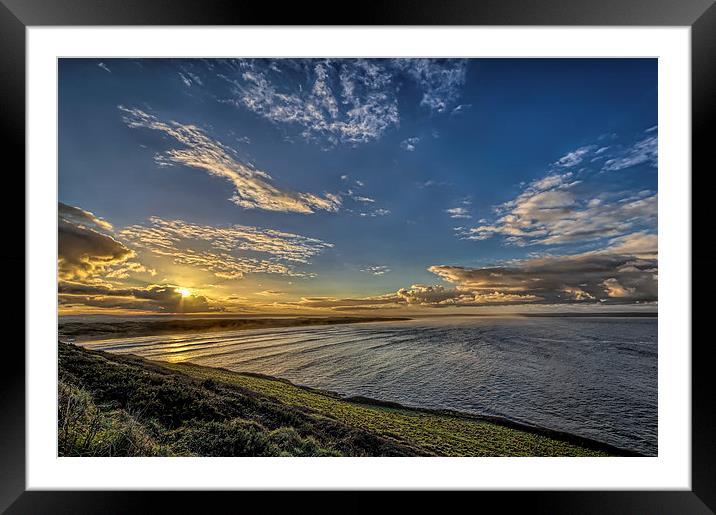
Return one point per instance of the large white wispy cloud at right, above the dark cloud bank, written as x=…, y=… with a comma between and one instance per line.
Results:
x=561, y=208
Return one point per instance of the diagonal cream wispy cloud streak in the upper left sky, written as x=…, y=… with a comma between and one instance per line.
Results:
x=253, y=188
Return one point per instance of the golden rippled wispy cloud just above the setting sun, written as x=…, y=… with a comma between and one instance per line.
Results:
x=227, y=252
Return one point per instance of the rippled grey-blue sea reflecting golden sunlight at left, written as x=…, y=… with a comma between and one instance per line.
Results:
x=594, y=377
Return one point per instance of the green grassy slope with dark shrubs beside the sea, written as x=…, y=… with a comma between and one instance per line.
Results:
x=185, y=409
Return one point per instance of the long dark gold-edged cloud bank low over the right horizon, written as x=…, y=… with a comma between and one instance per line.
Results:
x=626, y=272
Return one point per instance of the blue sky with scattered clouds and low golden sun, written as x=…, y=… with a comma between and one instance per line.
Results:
x=371, y=186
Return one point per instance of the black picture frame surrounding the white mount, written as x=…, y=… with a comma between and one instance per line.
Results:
x=16, y=15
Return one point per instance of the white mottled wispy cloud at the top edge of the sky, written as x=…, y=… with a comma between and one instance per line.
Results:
x=351, y=101
